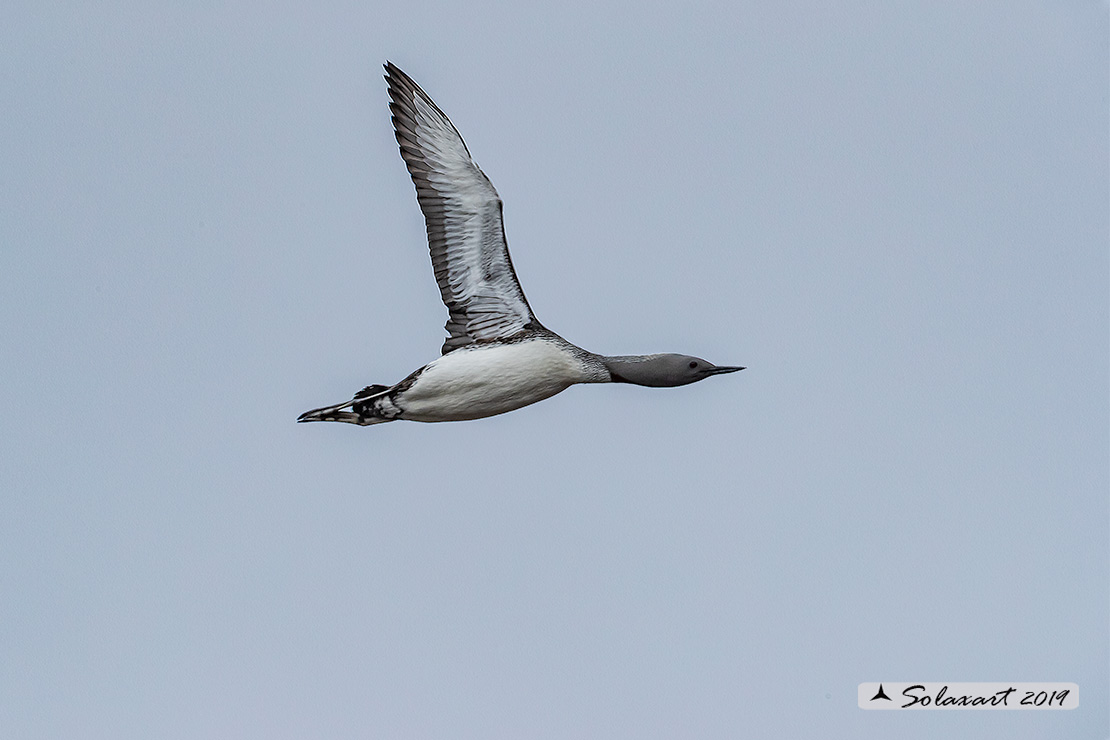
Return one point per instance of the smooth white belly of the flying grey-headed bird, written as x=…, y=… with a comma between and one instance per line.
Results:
x=475, y=383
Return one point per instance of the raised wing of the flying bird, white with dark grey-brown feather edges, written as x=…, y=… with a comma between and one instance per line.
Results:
x=463, y=215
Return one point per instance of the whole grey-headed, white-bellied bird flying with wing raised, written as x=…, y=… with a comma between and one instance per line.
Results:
x=498, y=357
